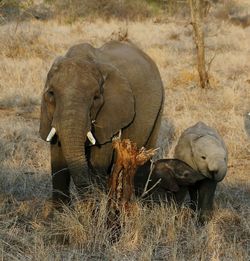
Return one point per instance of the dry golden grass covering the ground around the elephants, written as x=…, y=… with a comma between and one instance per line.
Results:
x=27, y=232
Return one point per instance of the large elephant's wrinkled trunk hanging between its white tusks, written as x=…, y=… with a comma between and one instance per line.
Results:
x=72, y=136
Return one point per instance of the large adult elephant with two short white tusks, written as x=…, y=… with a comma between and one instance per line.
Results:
x=97, y=93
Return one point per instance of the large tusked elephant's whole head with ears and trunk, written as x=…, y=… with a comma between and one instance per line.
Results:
x=83, y=99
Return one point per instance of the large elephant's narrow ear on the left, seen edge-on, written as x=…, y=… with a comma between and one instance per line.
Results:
x=45, y=117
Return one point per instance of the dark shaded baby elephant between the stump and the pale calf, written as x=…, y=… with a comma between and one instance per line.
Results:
x=172, y=175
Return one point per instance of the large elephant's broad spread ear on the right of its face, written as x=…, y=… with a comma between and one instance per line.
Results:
x=118, y=110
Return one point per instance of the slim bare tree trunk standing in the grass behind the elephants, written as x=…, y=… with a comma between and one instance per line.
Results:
x=196, y=10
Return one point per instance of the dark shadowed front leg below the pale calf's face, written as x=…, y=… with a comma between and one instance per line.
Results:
x=206, y=191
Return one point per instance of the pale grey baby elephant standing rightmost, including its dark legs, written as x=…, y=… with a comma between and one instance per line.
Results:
x=202, y=148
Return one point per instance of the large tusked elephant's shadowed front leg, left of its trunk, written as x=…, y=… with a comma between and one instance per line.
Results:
x=60, y=175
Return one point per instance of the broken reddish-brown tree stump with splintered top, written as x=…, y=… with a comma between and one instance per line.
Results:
x=121, y=182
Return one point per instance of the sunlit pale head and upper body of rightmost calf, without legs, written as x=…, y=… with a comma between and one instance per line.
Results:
x=201, y=147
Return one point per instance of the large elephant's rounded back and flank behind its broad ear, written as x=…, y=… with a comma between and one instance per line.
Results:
x=146, y=84
